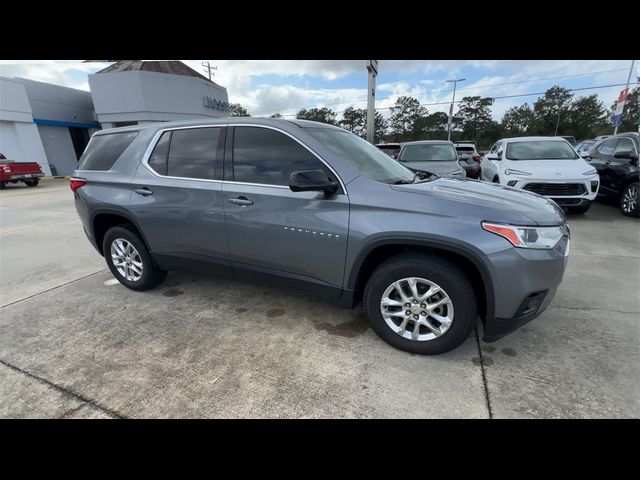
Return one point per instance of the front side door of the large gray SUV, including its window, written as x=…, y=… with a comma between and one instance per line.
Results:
x=294, y=238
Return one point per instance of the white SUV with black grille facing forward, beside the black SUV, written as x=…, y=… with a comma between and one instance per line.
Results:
x=549, y=166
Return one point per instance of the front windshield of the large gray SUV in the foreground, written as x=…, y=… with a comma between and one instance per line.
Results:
x=361, y=155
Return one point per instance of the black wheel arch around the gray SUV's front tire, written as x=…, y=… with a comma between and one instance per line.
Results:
x=466, y=256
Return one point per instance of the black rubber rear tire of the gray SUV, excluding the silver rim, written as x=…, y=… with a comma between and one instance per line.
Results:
x=151, y=277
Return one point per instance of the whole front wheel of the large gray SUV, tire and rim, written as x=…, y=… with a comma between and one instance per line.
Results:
x=420, y=303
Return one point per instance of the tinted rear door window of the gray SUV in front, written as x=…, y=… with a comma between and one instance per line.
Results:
x=192, y=152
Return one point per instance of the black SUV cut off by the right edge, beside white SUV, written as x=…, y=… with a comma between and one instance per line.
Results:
x=616, y=160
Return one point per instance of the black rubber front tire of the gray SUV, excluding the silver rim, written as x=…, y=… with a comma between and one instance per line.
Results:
x=438, y=270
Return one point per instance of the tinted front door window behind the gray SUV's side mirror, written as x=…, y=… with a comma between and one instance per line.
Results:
x=261, y=155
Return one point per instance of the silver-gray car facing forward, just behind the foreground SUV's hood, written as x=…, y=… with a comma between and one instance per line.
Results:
x=434, y=156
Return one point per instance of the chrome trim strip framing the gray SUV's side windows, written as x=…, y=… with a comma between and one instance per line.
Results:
x=159, y=133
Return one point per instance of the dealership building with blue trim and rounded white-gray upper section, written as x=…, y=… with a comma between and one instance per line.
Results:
x=51, y=124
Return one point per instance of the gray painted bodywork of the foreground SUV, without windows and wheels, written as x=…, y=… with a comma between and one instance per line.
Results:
x=275, y=234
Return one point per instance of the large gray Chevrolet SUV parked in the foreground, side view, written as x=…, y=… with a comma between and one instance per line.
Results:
x=314, y=207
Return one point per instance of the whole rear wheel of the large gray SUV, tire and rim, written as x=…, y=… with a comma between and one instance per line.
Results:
x=129, y=260
